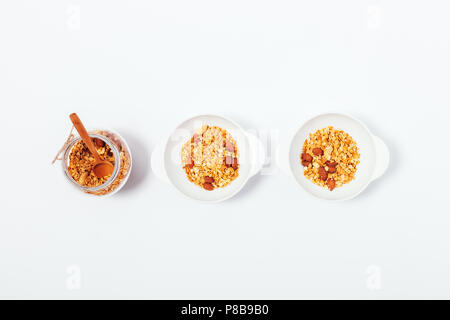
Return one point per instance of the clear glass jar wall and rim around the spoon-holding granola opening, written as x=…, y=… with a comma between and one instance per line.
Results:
x=122, y=168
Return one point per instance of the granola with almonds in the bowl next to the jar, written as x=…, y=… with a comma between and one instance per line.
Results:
x=210, y=158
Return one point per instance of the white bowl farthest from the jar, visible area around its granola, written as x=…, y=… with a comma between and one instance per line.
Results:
x=374, y=156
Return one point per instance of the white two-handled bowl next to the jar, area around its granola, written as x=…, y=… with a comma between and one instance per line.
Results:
x=166, y=158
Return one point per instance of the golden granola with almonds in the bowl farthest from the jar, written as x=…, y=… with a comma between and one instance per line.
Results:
x=330, y=158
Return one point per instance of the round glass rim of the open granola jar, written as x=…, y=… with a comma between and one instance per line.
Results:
x=117, y=162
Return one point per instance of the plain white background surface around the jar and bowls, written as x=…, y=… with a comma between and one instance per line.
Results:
x=142, y=67
